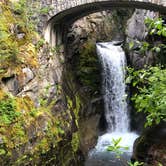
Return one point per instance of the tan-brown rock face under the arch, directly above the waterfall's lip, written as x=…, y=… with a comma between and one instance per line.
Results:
x=103, y=26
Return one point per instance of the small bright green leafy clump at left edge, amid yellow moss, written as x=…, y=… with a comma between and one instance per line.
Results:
x=8, y=113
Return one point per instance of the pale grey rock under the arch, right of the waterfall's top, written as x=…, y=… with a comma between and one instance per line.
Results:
x=136, y=31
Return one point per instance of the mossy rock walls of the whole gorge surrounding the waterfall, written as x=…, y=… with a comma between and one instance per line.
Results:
x=56, y=91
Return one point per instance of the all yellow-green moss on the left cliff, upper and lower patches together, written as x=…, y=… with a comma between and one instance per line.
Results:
x=22, y=125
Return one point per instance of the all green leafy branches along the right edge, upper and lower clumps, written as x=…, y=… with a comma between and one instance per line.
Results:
x=150, y=83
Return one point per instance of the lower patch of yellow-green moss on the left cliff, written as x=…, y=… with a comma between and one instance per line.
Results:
x=16, y=135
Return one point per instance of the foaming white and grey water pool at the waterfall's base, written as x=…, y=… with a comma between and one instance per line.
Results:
x=99, y=156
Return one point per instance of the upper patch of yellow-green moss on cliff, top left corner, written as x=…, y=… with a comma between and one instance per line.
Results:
x=15, y=52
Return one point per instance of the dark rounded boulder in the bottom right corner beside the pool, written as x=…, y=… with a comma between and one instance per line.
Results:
x=150, y=146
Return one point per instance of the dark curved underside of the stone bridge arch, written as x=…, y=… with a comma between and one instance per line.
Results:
x=57, y=25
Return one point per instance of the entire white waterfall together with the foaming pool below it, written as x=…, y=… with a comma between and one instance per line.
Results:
x=113, y=62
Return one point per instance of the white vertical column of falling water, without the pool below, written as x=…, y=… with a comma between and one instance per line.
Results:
x=114, y=63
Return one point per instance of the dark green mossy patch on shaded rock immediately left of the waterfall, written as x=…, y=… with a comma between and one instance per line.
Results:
x=88, y=67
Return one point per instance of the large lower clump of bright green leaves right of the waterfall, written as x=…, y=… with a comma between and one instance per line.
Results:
x=151, y=93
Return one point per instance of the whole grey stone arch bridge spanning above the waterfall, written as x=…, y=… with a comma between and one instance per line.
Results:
x=65, y=12
